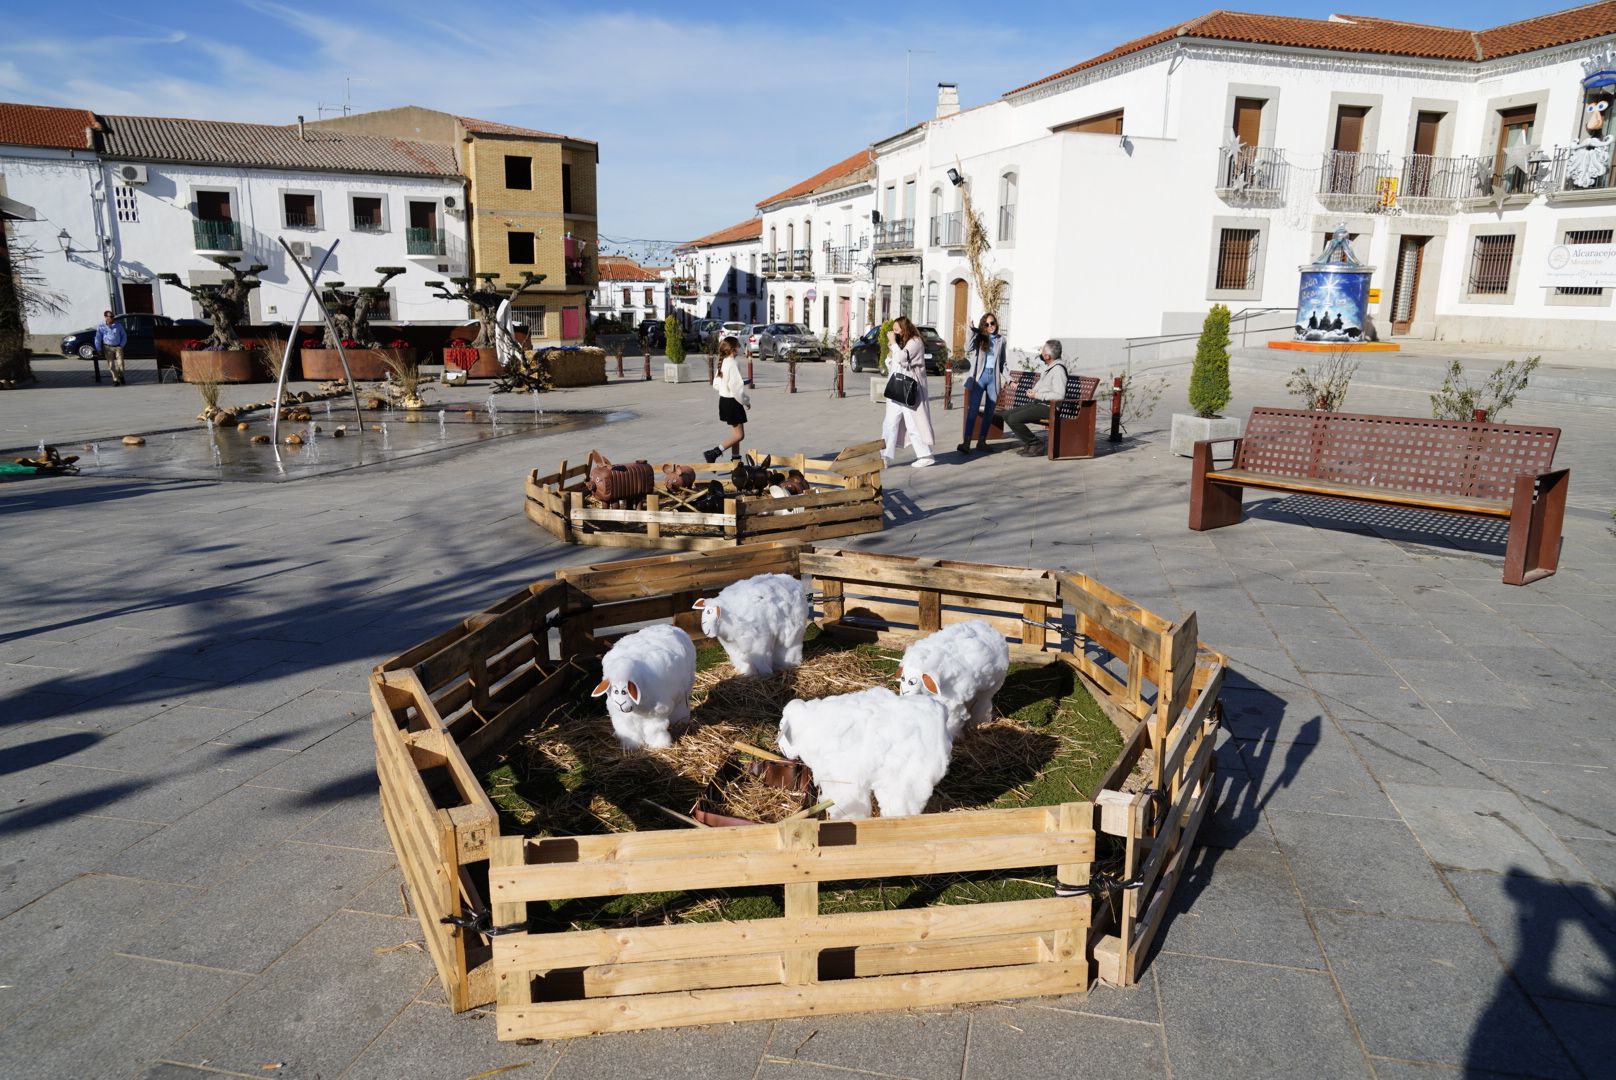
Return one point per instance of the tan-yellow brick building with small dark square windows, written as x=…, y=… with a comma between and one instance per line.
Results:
x=532, y=208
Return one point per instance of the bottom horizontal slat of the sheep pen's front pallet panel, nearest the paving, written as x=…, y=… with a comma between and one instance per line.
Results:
x=764, y=1003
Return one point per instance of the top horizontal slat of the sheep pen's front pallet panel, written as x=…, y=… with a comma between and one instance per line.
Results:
x=823, y=864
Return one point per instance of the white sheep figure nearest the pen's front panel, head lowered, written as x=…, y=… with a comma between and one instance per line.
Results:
x=872, y=741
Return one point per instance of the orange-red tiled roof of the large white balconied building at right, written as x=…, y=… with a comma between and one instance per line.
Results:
x=1371, y=35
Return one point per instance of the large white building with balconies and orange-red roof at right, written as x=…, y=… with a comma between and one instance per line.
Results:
x=1206, y=162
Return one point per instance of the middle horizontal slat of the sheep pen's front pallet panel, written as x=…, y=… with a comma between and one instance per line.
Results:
x=684, y=942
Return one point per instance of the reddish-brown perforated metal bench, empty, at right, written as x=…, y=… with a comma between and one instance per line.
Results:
x=1447, y=466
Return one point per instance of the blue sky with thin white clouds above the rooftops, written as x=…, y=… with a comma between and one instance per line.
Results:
x=701, y=109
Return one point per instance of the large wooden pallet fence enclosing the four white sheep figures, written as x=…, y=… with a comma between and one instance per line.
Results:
x=479, y=685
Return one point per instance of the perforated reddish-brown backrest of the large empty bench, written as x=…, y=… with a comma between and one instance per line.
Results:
x=1397, y=452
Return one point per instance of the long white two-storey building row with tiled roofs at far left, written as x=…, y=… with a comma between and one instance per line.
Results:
x=146, y=196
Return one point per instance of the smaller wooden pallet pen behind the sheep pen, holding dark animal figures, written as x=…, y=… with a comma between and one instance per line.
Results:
x=846, y=502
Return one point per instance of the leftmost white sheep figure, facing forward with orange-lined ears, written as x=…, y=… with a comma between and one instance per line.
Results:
x=647, y=680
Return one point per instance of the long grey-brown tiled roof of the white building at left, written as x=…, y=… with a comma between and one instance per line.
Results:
x=271, y=146
